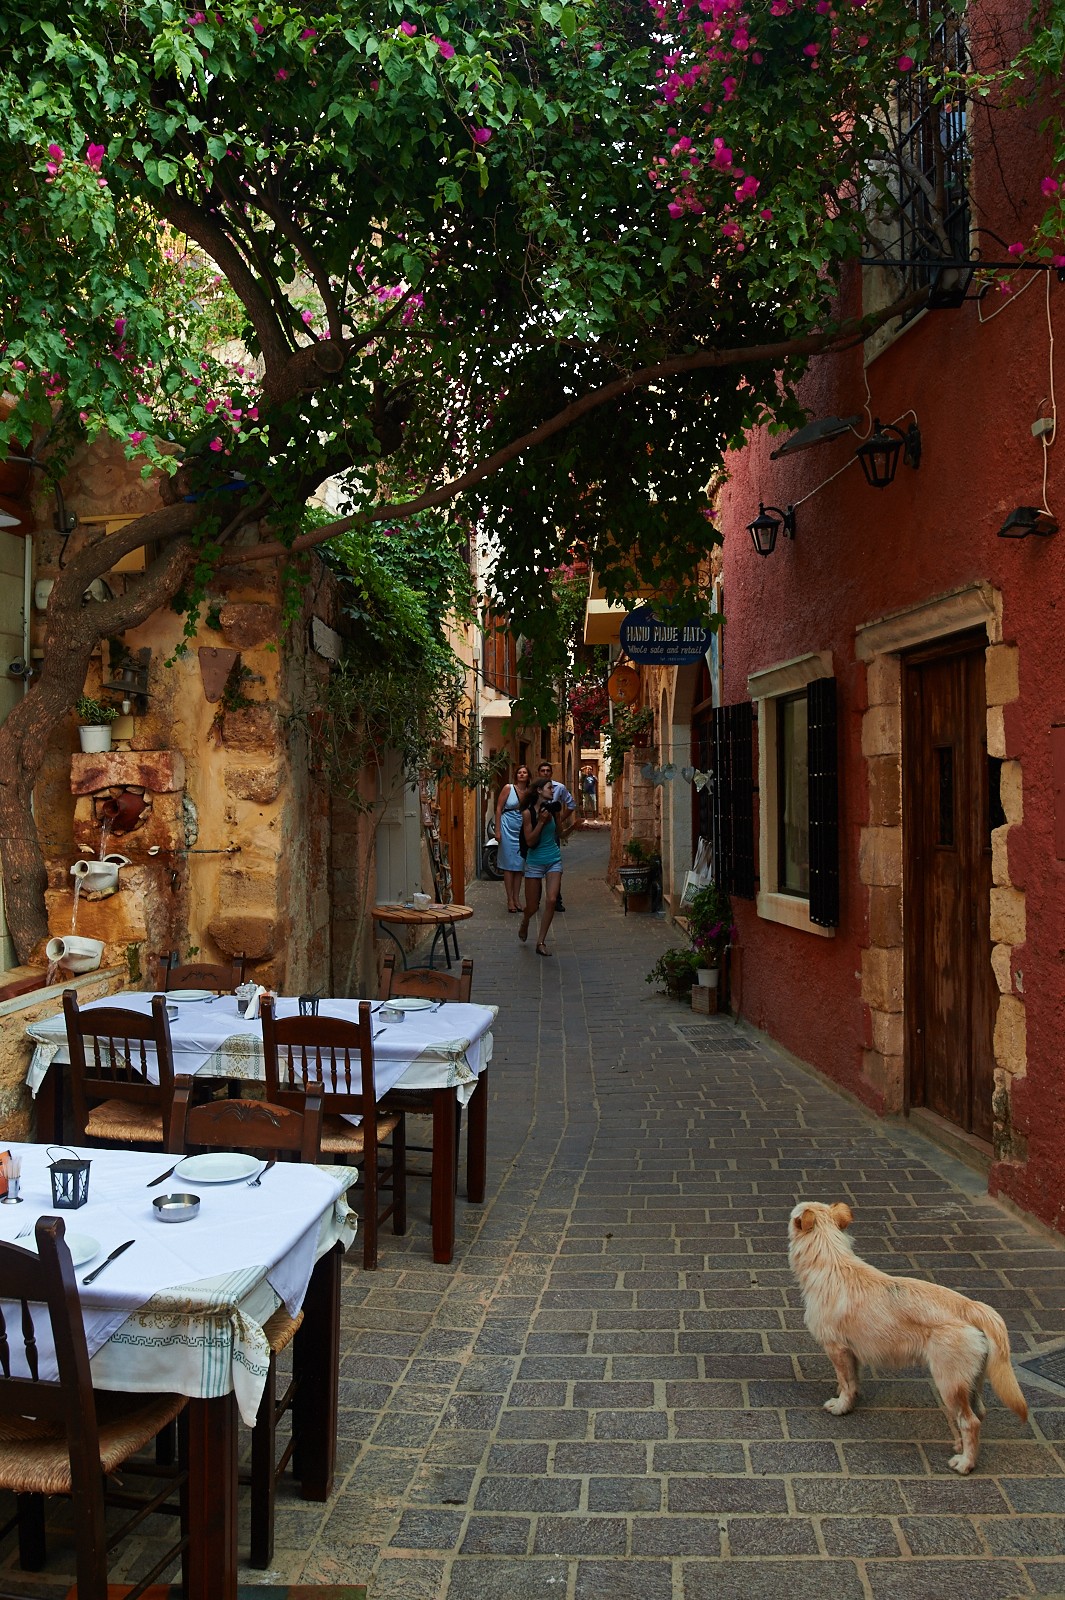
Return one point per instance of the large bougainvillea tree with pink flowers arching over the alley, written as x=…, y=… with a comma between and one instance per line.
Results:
x=551, y=258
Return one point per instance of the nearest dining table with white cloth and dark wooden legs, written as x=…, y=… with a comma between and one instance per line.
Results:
x=156, y=1322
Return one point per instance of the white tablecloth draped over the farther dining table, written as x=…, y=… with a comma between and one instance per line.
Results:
x=444, y=1049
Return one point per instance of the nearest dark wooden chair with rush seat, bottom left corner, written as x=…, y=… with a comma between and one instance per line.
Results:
x=62, y=1438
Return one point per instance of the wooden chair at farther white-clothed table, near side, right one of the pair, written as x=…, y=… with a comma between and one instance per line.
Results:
x=303, y=1050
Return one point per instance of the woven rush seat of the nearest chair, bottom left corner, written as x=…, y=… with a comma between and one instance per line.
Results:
x=34, y=1457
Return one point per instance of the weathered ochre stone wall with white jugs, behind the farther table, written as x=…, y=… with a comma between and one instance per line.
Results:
x=225, y=818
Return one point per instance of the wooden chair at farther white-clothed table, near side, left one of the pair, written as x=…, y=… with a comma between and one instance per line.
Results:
x=130, y=1111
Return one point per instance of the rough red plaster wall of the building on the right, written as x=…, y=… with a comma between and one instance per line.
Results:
x=860, y=554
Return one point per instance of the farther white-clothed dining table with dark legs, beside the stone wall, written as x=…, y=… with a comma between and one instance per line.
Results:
x=445, y=1049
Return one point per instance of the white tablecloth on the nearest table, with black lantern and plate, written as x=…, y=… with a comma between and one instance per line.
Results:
x=183, y=1310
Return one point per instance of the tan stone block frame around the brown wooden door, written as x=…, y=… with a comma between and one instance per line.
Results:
x=880, y=646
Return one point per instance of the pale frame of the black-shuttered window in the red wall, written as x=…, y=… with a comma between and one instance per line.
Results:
x=767, y=687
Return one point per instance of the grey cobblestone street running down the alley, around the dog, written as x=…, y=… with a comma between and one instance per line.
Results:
x=610, y=1391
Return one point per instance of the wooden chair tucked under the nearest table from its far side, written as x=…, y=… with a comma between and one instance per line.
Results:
x=268, y=1130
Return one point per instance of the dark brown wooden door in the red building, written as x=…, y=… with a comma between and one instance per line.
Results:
x=947, y=879
